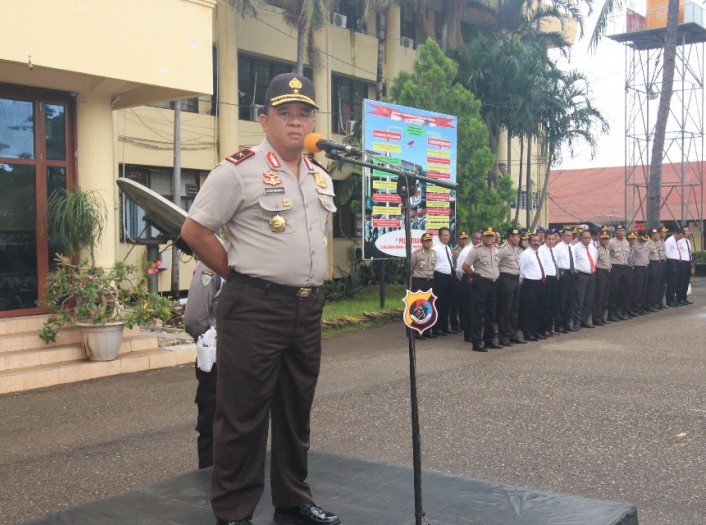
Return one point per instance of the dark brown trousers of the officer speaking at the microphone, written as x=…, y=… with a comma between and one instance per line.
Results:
x=268, y=358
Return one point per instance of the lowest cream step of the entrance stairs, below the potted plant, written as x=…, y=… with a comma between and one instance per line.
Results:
x=50, y=374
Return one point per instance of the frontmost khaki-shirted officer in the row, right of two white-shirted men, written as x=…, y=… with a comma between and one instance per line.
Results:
x=481, y=266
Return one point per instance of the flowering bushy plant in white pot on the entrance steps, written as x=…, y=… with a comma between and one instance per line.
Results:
x=100, y=301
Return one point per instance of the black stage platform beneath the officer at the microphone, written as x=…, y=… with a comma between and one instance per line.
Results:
x=361, y=493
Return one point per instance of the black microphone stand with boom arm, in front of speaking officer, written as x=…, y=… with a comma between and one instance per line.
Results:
x=406, y=188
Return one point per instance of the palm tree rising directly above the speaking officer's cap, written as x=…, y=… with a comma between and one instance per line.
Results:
x=307, y=17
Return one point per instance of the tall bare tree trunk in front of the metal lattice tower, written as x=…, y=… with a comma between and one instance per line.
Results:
x=654, y=185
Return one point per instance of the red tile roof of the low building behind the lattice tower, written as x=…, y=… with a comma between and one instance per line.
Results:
x=598, y=195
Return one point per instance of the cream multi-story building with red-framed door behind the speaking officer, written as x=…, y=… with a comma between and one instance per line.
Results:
x=88, y=95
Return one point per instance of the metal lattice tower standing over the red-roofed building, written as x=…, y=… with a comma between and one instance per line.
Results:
x=682, y=197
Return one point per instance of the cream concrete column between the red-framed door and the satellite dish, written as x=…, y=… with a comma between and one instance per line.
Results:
x=96, y=167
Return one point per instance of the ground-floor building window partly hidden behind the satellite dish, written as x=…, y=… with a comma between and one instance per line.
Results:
x=159, y=180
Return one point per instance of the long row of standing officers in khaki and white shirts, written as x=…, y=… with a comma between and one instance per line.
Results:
x=530, y=287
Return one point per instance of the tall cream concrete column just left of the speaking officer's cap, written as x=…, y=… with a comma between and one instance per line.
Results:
x=228, y=137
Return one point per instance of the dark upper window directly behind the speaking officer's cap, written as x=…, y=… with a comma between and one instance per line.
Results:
x=254, y=74
